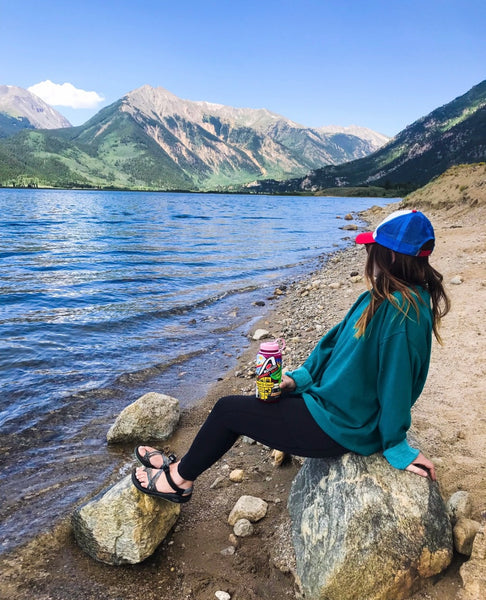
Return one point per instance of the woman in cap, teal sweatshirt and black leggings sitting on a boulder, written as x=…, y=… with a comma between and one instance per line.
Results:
x=355, y=391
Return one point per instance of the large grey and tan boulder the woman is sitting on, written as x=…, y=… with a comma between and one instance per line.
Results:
x=362, y=529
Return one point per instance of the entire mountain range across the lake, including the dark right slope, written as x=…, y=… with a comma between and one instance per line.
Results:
x=151, y=139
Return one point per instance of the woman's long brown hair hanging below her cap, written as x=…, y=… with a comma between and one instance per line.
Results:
x=387, y=272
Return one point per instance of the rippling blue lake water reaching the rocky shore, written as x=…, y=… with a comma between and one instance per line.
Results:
x=106, y=296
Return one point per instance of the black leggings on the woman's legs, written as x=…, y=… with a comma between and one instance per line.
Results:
x=285, y=425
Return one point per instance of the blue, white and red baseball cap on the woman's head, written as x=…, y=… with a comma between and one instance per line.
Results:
x=404, y=231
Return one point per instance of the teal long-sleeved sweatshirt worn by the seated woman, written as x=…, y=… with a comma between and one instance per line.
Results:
x=361, y=390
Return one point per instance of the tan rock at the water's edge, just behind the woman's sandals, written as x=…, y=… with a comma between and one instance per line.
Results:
x=151, y=417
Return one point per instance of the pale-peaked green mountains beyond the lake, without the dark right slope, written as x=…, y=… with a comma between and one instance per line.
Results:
x=151, y=139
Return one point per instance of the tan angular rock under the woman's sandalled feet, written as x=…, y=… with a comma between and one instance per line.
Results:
x=122, y=525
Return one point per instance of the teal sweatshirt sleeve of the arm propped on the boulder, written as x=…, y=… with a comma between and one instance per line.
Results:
x=398, y=366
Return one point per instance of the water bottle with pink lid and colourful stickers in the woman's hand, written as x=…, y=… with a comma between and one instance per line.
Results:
x=269, y=370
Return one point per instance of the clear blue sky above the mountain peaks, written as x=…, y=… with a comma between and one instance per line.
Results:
x=378, y=64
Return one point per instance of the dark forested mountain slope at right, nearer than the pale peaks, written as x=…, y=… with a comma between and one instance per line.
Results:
x=450, y=135
